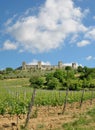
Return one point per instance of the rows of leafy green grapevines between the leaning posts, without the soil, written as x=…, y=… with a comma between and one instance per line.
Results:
x=15, y=100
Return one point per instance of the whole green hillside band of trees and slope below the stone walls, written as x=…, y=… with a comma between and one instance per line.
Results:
x=54, y=79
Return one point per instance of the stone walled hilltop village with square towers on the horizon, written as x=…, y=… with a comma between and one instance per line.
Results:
x=40, y=66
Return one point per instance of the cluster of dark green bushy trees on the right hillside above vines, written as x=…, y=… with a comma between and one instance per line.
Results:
x=62, y=79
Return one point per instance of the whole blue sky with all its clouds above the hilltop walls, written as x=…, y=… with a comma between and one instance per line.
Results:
x=47, y=31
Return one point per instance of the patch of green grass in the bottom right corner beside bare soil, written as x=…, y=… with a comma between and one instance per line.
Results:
x=84, y=122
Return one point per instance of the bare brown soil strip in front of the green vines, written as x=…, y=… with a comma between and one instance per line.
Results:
x=46, y=117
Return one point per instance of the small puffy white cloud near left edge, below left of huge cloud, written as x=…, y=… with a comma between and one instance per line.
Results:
x=8, y=45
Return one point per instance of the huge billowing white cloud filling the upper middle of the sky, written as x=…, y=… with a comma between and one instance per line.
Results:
x=55, y=21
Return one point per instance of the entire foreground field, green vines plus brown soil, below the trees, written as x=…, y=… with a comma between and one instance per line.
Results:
x=48, y=107
